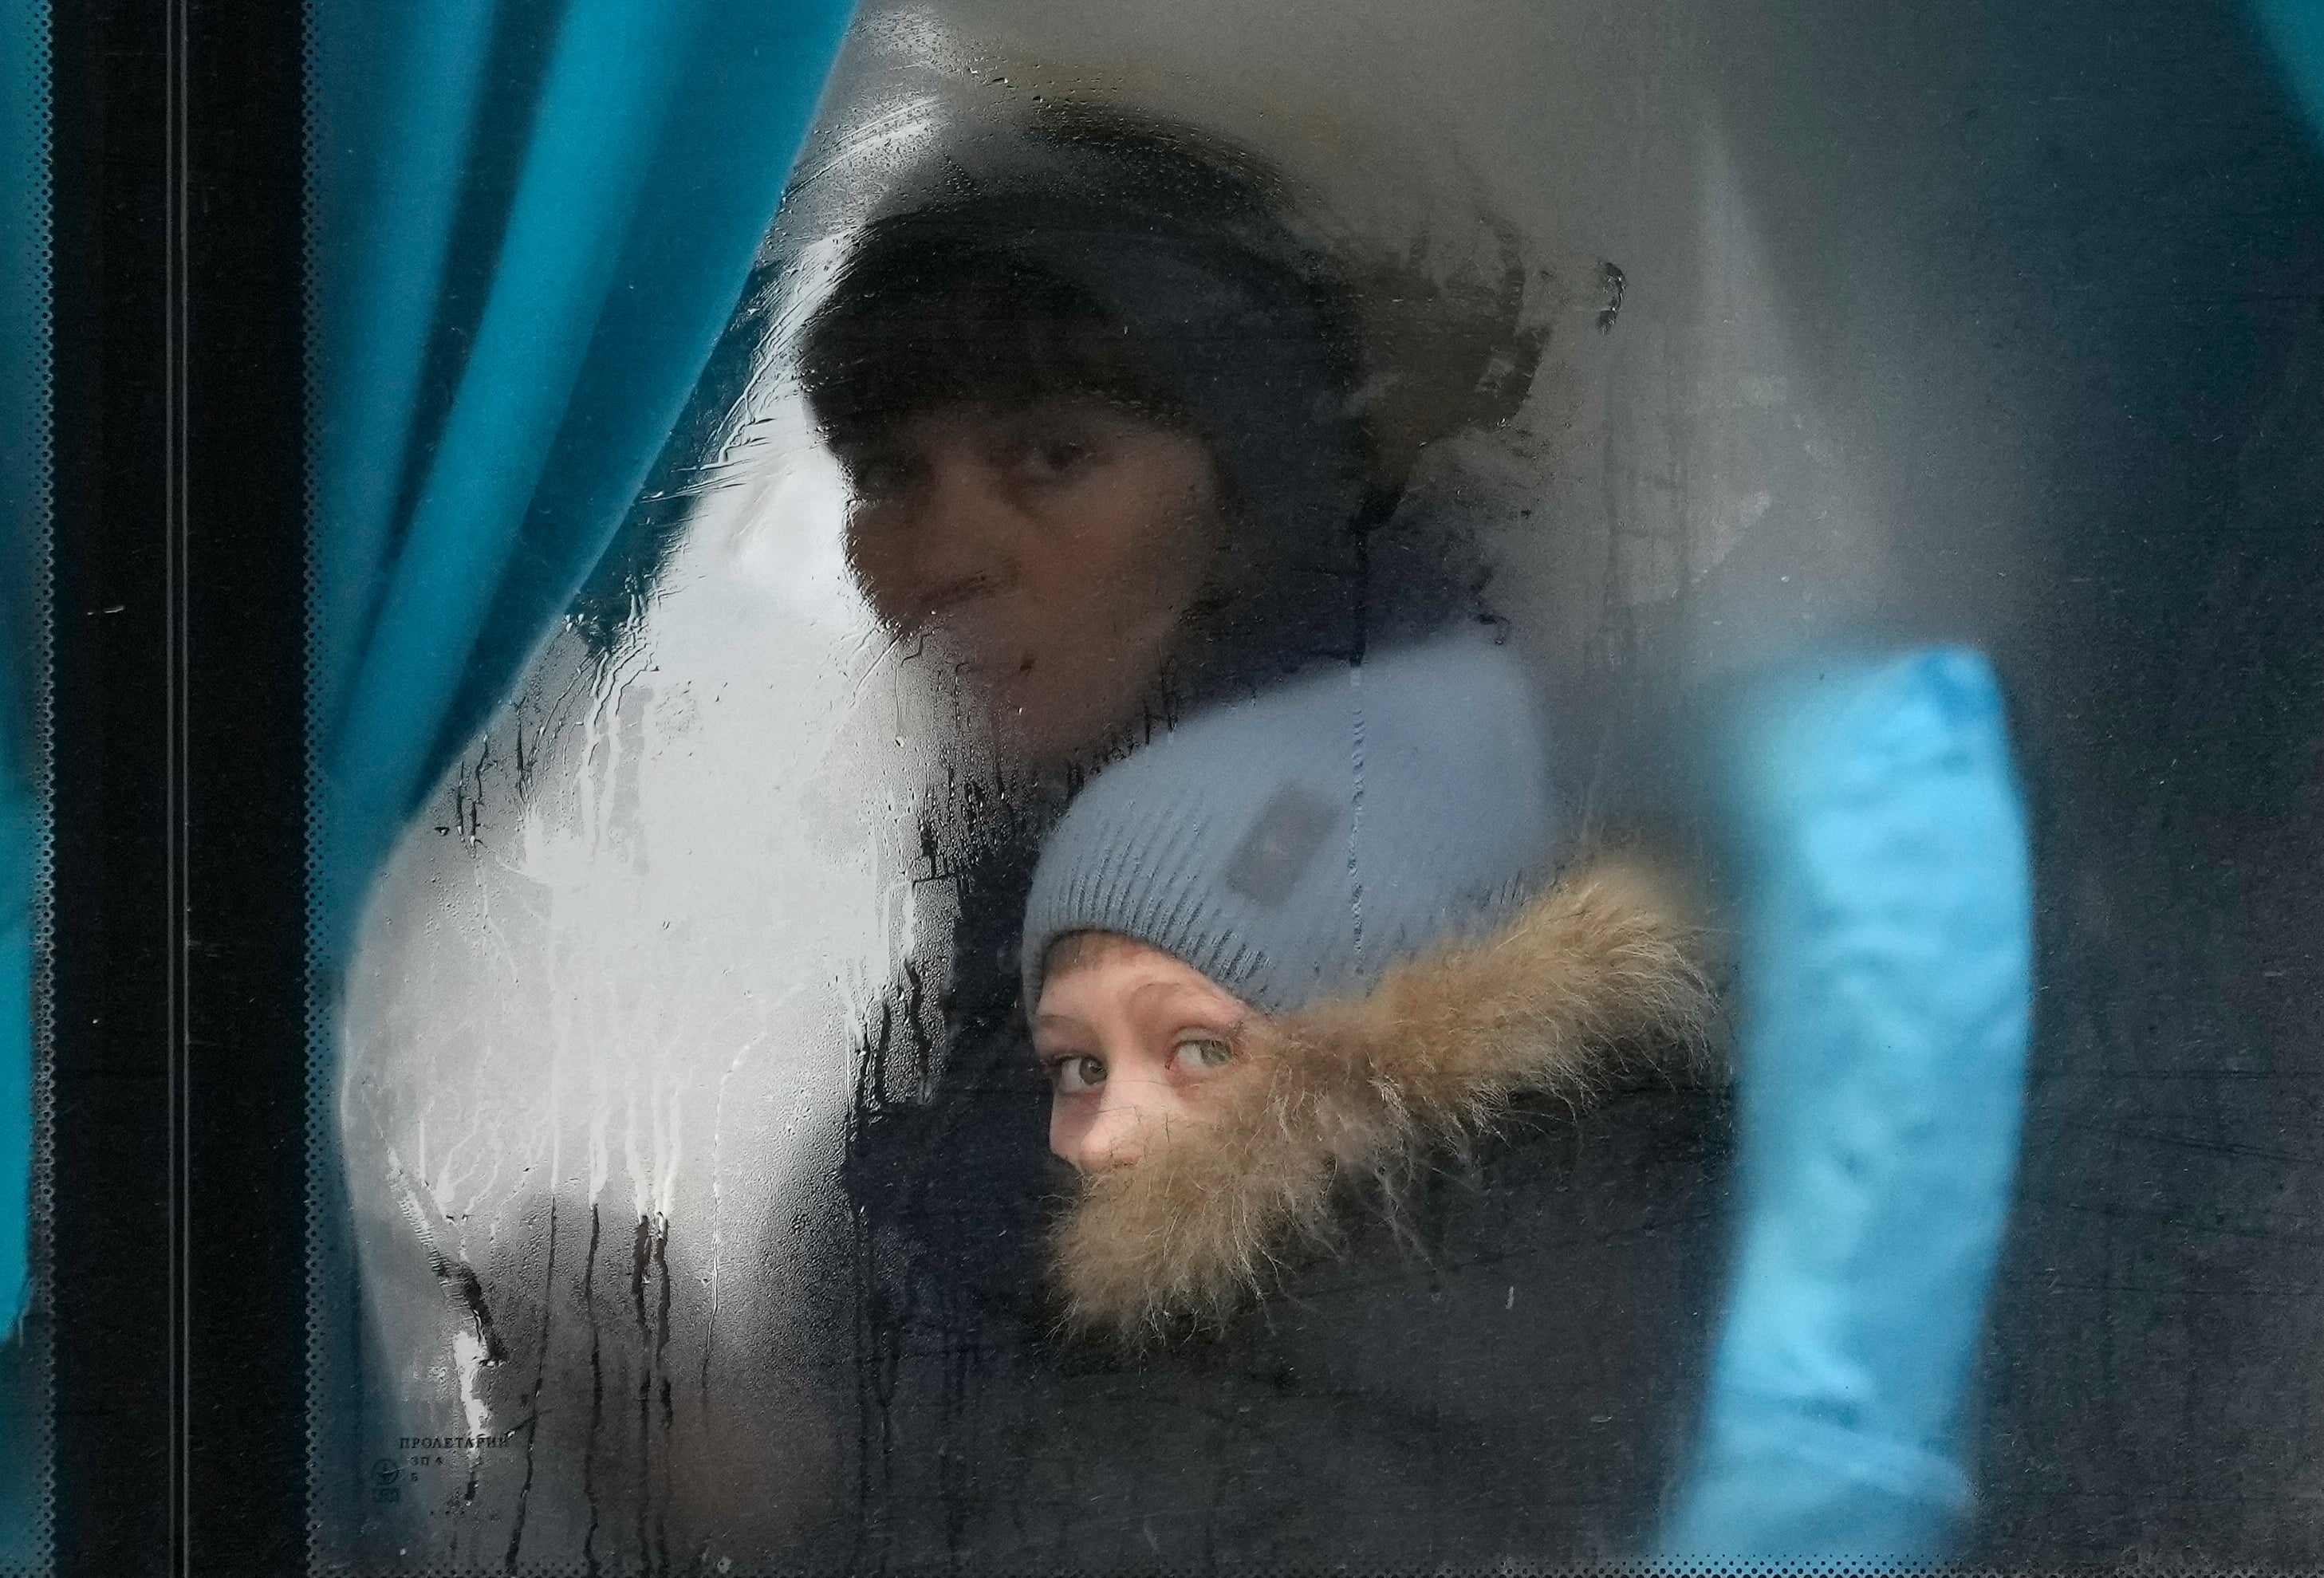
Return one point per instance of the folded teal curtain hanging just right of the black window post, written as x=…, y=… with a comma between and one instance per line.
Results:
x=529, y=227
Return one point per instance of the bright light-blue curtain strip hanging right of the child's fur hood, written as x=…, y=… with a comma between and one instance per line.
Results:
x=1886, y=1000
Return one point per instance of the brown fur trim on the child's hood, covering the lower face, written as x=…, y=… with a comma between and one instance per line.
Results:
x=1595, y=977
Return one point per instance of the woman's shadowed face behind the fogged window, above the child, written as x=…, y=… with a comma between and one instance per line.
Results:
x=1054, y=552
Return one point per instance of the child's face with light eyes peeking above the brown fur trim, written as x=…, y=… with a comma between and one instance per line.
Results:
x=1135, y=1045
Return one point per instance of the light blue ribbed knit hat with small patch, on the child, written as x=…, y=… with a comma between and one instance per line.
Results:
x=1296, y=845
